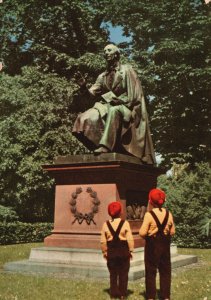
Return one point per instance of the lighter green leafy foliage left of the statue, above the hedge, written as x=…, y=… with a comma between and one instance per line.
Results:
x=35, y=127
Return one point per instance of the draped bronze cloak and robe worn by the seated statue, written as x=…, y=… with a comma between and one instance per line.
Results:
x=134, y=138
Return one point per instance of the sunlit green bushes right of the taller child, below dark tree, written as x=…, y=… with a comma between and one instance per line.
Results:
x=189, y=200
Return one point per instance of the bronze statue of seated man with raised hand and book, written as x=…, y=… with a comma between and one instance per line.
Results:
x=118, y=122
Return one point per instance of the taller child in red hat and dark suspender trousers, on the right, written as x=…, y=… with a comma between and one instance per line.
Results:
x=157, y=229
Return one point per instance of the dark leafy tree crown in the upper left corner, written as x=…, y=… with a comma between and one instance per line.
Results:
x=52, y=34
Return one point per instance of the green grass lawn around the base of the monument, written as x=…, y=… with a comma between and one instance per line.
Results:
x=188, y=283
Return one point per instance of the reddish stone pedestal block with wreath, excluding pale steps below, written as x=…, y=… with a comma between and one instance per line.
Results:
x=81, y=181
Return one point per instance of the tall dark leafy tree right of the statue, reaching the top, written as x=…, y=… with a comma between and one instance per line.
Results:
x=171, y=46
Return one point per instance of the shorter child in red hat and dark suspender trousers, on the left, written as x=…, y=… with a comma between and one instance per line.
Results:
x=117, y=244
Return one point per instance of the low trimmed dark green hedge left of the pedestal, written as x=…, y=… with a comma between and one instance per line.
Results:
x=18, y=232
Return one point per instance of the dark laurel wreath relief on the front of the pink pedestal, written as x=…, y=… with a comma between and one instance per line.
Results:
x=88, y=217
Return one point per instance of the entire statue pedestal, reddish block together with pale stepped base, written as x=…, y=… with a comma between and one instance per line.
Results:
x=87, y=184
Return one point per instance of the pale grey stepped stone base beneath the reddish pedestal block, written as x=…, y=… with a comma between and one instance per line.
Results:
x=85, y=263
